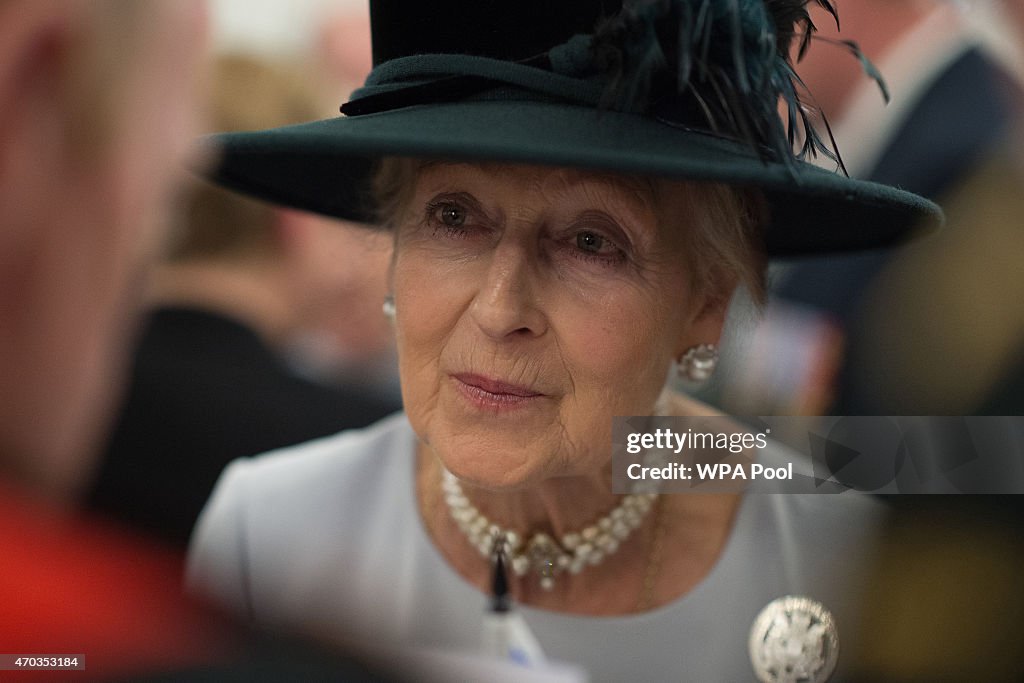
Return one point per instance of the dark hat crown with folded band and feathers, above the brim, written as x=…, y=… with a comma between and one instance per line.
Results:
x=715, y=66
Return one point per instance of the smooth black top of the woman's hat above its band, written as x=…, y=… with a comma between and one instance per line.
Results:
x=498, y=29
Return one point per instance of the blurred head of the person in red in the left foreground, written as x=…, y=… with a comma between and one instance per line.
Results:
x=98, y=117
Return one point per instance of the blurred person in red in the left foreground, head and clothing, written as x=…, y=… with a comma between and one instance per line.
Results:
x=98, y=104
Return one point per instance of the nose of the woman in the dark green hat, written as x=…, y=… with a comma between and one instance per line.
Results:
x=506, y=305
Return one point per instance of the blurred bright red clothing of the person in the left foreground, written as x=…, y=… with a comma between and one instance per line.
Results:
x=70, y=586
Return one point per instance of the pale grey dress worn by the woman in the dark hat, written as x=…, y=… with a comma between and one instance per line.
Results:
x=328, y=533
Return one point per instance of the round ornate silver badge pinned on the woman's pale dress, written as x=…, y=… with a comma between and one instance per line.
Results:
x=794, y=641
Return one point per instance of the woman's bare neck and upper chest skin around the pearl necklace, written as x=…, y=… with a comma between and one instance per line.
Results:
x=672, y=550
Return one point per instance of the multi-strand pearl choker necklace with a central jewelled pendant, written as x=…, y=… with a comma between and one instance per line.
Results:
x=542, y=554
